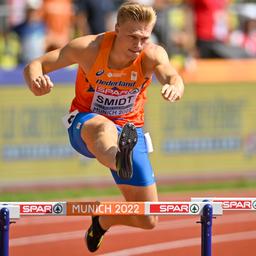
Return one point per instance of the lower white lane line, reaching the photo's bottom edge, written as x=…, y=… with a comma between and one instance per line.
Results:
x=232, y=237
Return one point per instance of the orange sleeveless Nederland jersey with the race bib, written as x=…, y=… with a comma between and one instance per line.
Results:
x=118, y=95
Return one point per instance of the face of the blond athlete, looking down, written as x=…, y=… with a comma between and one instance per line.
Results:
x=132, y=37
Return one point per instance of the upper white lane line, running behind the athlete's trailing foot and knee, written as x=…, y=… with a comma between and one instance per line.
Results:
x=163, y=225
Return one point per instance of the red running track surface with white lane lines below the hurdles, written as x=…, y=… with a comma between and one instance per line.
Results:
x=234, y=234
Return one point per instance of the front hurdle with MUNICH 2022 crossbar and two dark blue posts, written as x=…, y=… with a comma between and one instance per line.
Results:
x=15, y=210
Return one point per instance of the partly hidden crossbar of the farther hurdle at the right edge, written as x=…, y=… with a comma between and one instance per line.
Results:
x=231, y=203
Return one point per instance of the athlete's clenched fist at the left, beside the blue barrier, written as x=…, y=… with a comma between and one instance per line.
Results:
x=41, y=85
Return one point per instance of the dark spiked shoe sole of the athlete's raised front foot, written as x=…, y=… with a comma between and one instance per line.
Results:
x=127, y=141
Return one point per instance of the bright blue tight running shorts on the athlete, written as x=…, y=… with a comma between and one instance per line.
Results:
x=143, y=174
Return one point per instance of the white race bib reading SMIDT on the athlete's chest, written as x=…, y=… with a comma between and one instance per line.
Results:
x=113, y=102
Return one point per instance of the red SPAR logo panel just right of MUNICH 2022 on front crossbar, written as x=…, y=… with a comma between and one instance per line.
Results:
x=169, y=208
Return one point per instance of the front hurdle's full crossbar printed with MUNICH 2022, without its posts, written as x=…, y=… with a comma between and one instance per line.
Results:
x=110, y=208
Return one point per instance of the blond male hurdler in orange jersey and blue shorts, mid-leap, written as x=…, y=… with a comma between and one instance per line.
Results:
x=107, y=113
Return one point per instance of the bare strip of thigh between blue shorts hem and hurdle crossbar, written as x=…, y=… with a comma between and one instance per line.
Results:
x=139, y=193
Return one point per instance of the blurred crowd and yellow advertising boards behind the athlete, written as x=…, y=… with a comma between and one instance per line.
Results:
x=210, y=136
